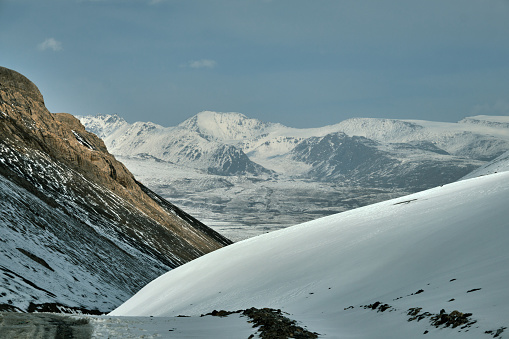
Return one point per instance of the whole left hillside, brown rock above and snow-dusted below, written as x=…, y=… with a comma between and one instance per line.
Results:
x=77, y=231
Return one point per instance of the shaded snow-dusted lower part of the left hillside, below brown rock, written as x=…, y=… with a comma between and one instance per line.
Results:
x=49, y=256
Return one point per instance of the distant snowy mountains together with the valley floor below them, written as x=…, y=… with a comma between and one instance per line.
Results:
x=243, y=176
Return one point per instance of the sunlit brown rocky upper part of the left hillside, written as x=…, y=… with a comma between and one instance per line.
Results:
x=30, y=124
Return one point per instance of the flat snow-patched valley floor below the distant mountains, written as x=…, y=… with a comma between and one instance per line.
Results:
x=240, y=207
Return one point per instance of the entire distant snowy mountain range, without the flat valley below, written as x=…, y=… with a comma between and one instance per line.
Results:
x=374, y=152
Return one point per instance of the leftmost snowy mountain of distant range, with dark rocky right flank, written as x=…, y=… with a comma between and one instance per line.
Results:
x=187, y=144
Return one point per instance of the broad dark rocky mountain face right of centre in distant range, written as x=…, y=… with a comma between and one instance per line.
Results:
x=338, y=157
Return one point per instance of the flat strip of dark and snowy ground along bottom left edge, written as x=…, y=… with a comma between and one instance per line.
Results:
x=46, y=325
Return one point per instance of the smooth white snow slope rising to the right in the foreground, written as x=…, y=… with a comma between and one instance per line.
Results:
x=450, y=241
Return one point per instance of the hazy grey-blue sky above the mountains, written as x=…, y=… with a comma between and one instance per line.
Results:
x=301, y=63
